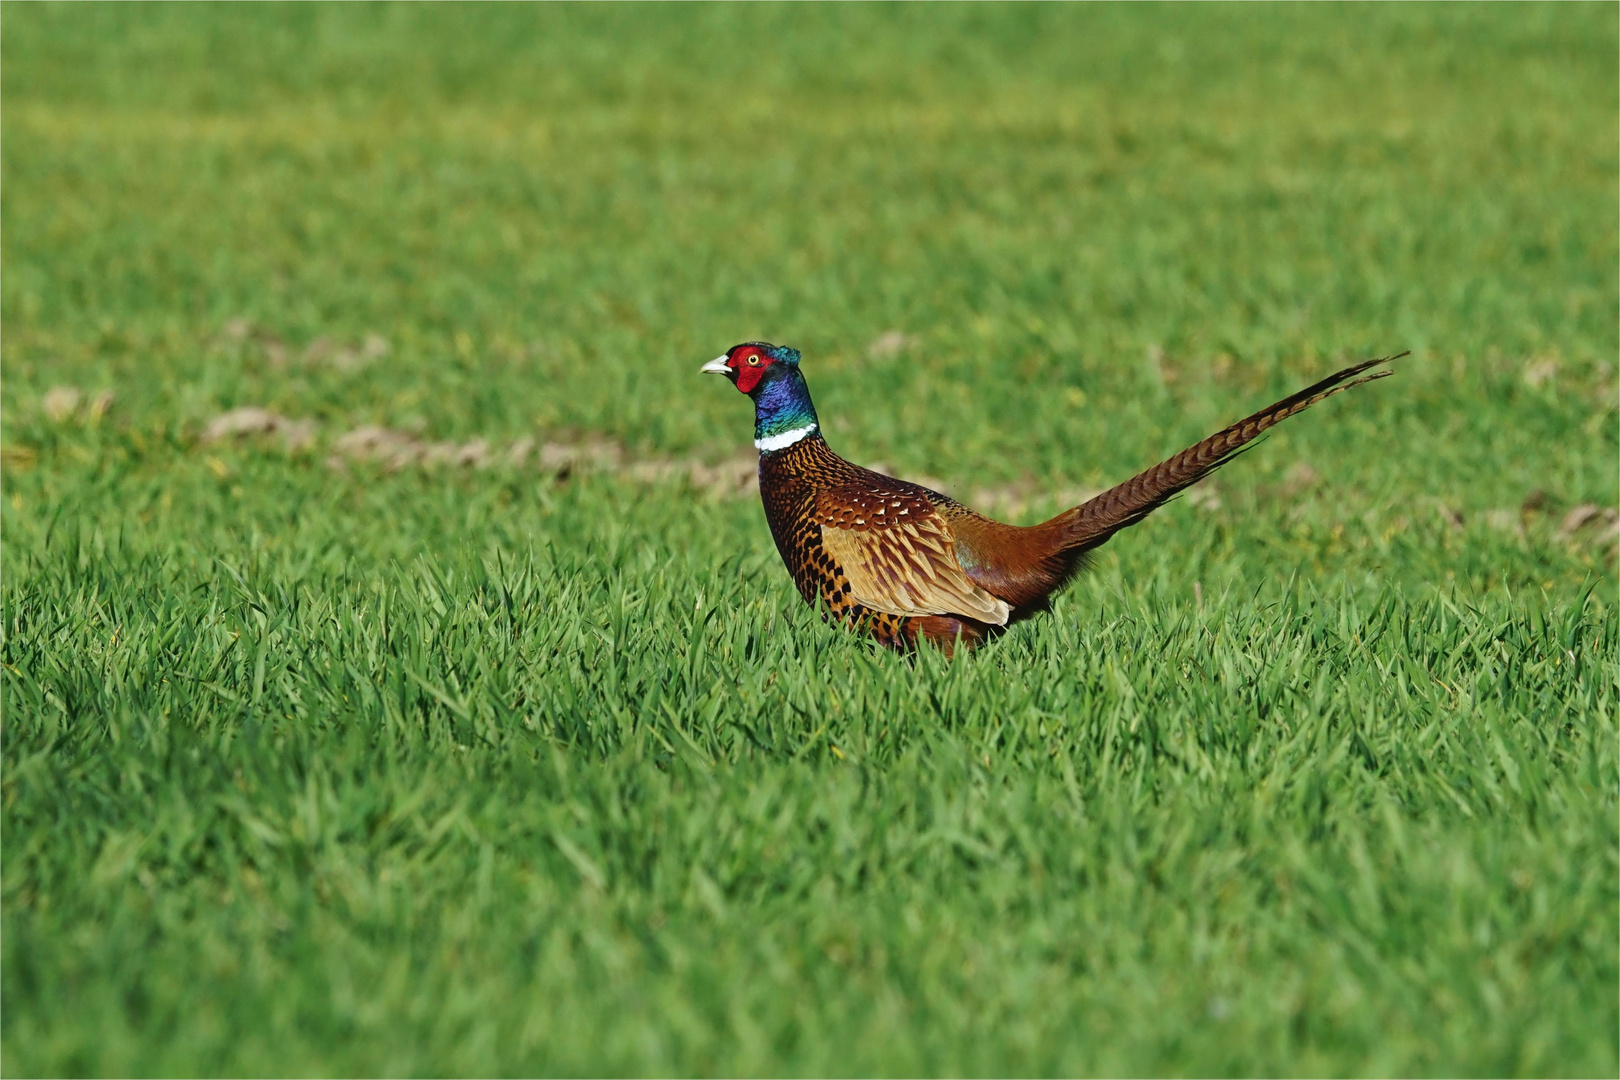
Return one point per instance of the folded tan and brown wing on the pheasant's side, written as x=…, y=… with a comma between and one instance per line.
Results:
x=900, y=556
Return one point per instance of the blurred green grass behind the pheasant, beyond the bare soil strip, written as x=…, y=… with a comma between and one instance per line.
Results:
x=552, y=213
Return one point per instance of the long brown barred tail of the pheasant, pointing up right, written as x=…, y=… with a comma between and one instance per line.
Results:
x=1091, y=524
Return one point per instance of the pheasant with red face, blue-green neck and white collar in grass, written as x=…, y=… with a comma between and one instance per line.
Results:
x=908, y=564
